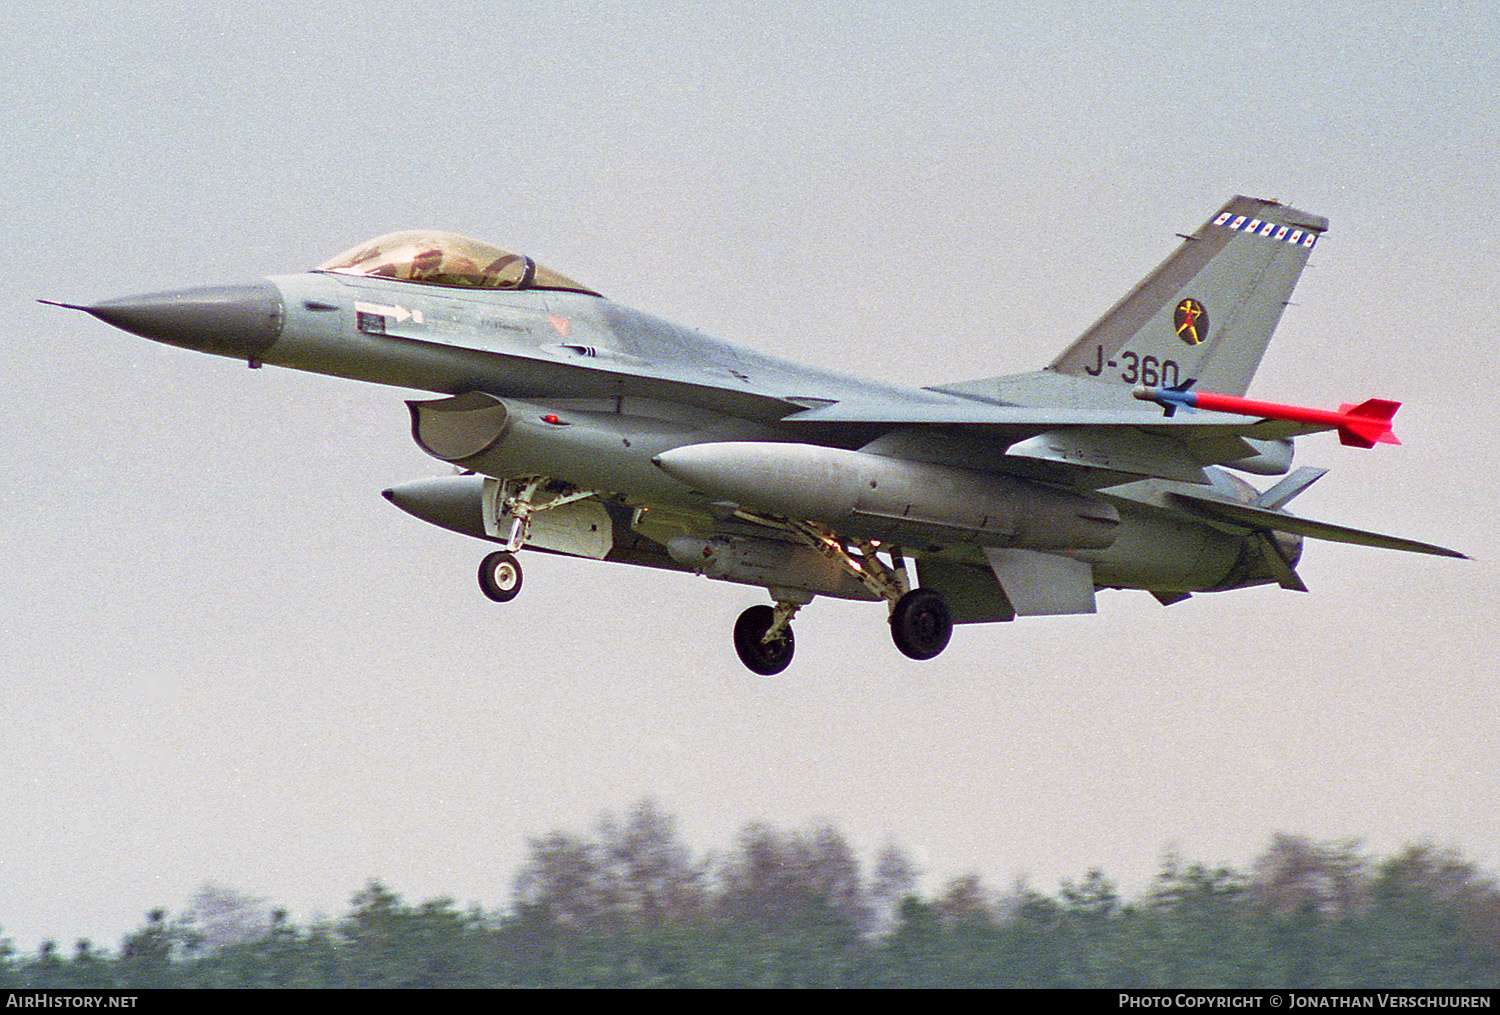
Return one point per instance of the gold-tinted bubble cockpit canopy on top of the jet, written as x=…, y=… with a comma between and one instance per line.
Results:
x=449, y=260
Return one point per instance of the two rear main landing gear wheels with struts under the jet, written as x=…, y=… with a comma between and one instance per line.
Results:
x=920, y=620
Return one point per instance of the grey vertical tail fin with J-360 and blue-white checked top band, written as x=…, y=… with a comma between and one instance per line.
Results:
x=1208, y=311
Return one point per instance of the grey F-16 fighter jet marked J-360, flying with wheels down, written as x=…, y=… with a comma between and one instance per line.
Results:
x=581, y=427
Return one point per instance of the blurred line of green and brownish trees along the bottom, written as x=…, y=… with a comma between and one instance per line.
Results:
x=629, y=905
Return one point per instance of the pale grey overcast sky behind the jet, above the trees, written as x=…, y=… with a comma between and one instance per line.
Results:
x=224, y=657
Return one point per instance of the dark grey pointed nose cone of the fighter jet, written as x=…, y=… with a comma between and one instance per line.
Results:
x=241, y=322
